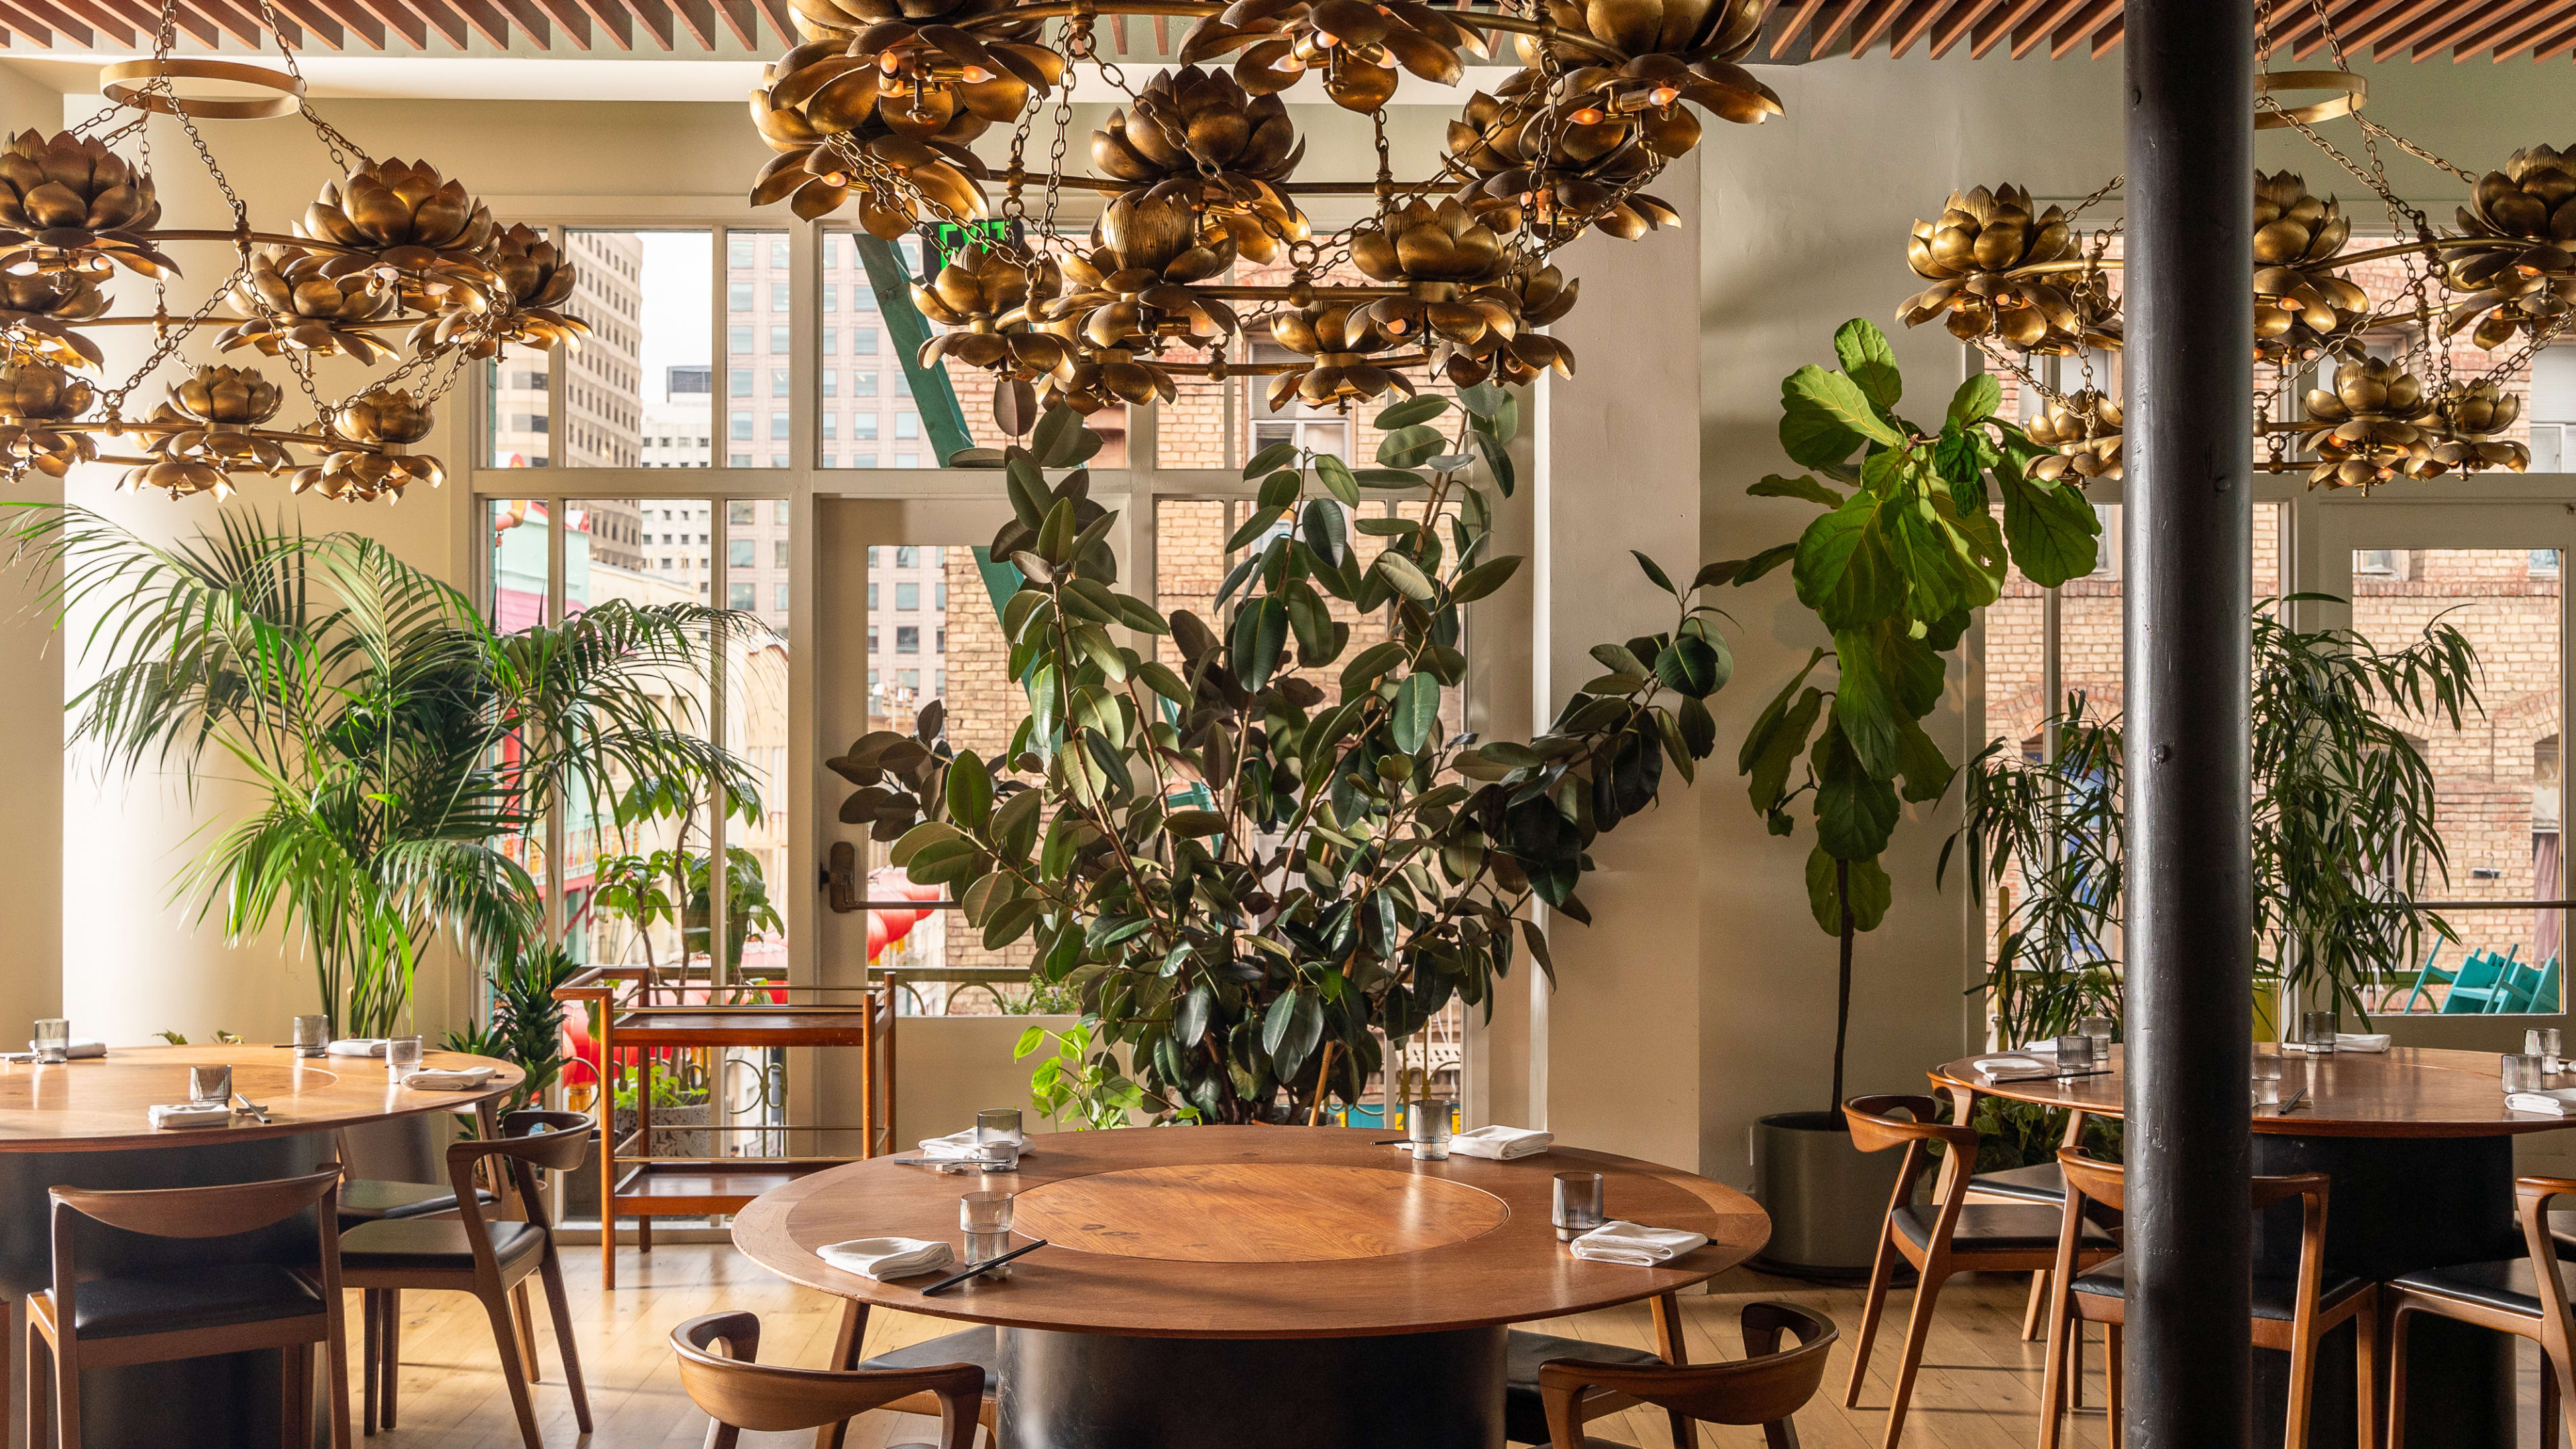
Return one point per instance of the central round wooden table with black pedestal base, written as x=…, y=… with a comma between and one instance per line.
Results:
x=1258, y=1288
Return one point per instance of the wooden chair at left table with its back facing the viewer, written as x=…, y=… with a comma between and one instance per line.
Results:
x=189, y=1314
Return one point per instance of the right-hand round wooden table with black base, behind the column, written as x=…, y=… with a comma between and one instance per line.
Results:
x=2423, y=1159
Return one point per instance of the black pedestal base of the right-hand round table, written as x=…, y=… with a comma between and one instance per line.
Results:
x=2400, y=1205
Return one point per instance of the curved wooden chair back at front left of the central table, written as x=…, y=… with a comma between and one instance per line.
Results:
x=741, y=1394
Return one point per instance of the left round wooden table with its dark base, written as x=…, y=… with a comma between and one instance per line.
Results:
x=86, y=1125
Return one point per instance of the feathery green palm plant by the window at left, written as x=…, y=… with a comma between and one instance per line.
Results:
x=395, y=741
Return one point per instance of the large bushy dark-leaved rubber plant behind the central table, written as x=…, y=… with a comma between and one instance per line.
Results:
x=1248, y=844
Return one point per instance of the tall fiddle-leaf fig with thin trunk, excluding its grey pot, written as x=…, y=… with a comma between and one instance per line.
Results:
x=1908, y=548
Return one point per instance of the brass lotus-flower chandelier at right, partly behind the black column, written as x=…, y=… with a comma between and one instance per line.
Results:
x=2353, y=388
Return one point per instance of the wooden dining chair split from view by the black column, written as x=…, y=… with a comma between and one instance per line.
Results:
x=2291, y=1314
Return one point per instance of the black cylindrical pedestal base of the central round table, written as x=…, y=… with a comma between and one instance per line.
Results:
x=1408, y=1391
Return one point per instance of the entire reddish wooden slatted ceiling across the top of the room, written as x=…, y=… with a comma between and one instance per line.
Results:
x=1799, y=30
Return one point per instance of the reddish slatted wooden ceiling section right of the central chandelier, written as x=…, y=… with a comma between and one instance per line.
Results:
x=2371, y=30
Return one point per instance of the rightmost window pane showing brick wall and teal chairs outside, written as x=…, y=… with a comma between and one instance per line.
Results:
x=2497, y=775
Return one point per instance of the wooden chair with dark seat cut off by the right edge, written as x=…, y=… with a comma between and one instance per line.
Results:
x=2526, y=1298
